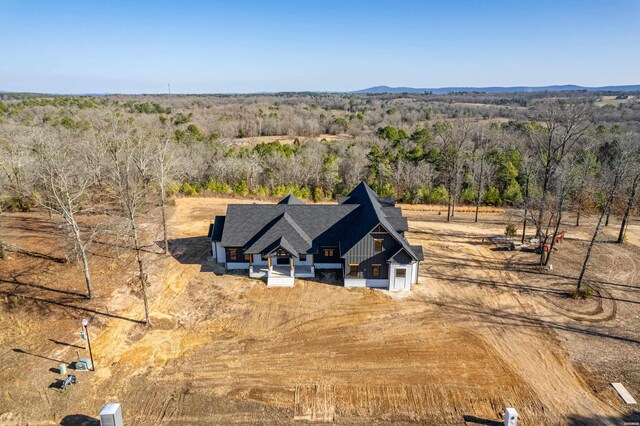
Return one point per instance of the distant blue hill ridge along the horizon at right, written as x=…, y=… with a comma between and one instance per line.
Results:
x=443, y=90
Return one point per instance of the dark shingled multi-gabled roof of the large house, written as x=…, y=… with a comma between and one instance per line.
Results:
x=306, y=227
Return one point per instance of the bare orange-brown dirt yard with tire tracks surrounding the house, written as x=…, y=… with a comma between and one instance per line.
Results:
x=483, y=329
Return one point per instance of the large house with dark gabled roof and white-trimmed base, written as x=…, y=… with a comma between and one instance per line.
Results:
x=362, y=236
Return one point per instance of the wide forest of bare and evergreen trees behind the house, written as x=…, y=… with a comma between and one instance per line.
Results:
x=543, y=153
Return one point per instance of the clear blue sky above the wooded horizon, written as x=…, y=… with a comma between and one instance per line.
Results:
x=250, y=46
